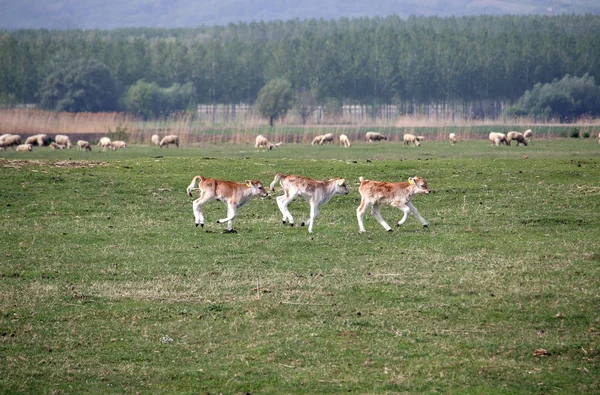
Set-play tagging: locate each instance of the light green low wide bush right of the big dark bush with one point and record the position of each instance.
(150, 100)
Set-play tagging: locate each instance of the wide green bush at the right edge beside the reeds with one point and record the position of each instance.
(566, 99)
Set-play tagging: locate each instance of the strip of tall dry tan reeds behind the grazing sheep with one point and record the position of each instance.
(195, 130)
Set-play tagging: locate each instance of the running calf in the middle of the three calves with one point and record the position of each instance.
(315, 192)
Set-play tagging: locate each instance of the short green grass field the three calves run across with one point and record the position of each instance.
(106, 286)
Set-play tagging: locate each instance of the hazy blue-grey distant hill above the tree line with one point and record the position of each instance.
(112, 14)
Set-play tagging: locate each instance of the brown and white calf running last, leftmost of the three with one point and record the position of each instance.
(233, 194)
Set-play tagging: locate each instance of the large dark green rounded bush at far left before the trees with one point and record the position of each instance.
(78, 85)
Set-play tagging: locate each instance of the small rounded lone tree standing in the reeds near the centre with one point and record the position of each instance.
(275, 99)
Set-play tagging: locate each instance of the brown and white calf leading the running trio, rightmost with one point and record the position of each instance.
(396, 194)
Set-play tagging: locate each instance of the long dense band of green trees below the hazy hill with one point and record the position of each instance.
(482, 63)
